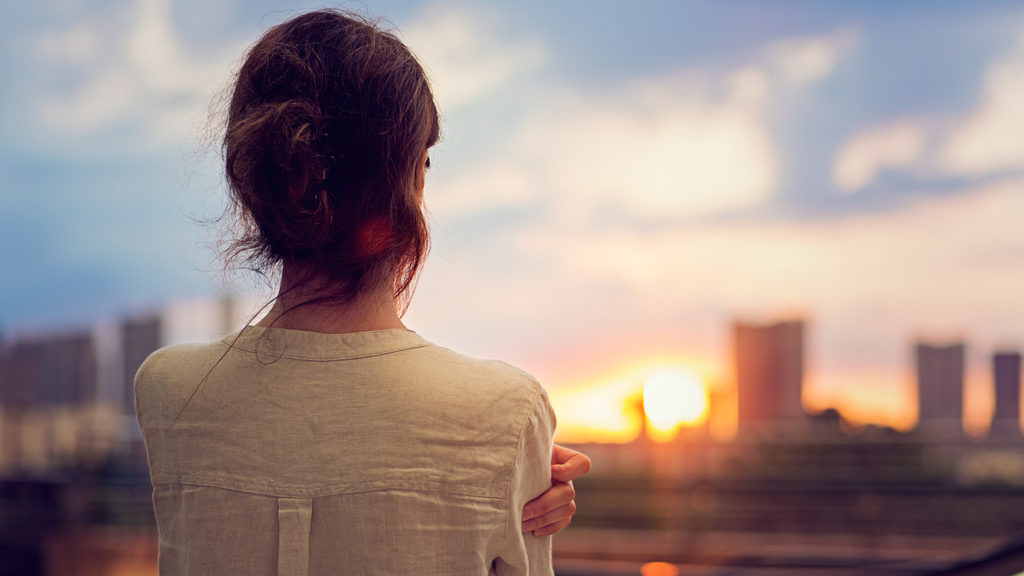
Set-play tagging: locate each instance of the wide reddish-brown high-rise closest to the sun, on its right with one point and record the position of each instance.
(770, 375)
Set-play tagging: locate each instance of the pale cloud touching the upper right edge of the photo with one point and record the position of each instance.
(989, 140)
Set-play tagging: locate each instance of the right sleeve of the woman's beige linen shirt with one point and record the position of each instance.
(526, 554)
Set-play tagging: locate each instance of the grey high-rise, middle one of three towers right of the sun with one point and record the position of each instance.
(941, 388)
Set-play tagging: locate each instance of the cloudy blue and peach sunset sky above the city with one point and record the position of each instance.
(617, 185)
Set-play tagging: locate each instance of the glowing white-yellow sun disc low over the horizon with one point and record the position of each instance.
(674, 399)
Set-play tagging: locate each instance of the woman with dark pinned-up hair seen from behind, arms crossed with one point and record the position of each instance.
(328, 439)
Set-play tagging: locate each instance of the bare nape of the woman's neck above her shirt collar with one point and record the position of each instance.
(372, 310)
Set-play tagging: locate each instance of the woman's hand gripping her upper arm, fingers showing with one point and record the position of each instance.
(553, 511)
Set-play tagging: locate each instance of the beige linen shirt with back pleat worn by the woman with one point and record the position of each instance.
(368, 454)
